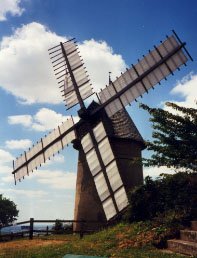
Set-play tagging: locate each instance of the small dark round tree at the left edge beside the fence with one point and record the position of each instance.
(8, 211)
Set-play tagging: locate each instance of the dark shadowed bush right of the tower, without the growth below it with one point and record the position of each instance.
(177, 193)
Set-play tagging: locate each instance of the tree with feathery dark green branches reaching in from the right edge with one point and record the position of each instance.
(175, 137)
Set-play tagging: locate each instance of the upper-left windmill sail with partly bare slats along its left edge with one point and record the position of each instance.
(70, 70)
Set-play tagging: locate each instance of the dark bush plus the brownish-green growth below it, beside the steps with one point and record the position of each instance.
(163, 206)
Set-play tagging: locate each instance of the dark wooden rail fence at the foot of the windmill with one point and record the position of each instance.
(30, 232)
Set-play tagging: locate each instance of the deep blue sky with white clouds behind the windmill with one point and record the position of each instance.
(111, 36)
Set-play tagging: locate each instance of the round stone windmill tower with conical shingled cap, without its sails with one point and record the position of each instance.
(126, 143)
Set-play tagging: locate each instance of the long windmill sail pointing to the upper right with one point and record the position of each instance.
(140, 78)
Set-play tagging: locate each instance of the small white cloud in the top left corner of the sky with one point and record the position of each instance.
(10, 6)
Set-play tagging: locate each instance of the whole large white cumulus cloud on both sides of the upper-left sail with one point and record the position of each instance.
(24, 56)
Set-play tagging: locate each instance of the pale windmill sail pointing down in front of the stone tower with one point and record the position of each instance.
(103, 167)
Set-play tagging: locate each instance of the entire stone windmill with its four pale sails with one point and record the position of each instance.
(103, 178)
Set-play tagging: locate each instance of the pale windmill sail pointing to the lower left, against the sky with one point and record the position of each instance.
(44, 149)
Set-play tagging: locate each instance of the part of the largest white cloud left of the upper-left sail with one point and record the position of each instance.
(24, 55)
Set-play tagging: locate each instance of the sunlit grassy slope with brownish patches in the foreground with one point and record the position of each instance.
(120, 241)
